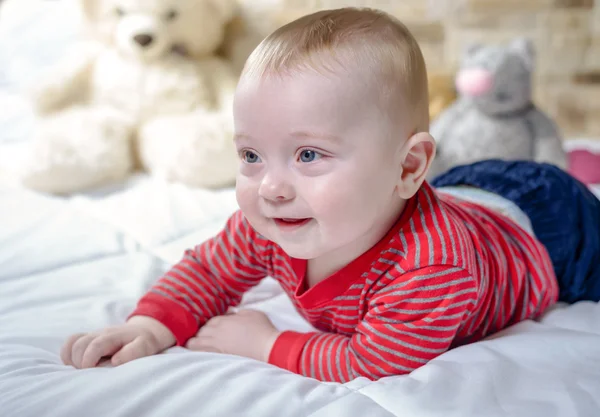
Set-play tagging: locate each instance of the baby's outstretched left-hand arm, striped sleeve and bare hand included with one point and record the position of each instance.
(205, 283)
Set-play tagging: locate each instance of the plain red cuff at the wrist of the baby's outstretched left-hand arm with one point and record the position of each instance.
(177, 319)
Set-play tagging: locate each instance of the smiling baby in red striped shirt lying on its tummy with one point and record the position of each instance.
(331, 121)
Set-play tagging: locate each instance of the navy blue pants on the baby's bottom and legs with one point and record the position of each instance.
(564, 213)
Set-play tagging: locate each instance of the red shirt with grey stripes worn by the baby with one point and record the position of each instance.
(448, 273)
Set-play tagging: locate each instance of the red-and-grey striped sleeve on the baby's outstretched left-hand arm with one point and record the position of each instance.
(208, 280)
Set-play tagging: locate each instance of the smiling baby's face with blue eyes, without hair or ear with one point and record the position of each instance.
(319, 162)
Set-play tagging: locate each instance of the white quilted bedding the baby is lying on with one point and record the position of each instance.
(80, 263)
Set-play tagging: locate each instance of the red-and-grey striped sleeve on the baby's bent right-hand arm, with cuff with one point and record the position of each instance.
(412, 320)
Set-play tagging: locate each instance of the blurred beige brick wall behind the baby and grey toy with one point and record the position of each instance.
(566, 34)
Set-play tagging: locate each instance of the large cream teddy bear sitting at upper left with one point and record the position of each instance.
(146, 90)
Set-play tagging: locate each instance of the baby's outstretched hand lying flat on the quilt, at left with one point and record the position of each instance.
(140, 336)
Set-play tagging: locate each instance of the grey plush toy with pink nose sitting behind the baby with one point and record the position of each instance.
(494, 116)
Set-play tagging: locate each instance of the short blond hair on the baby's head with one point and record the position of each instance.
(352, 38)
